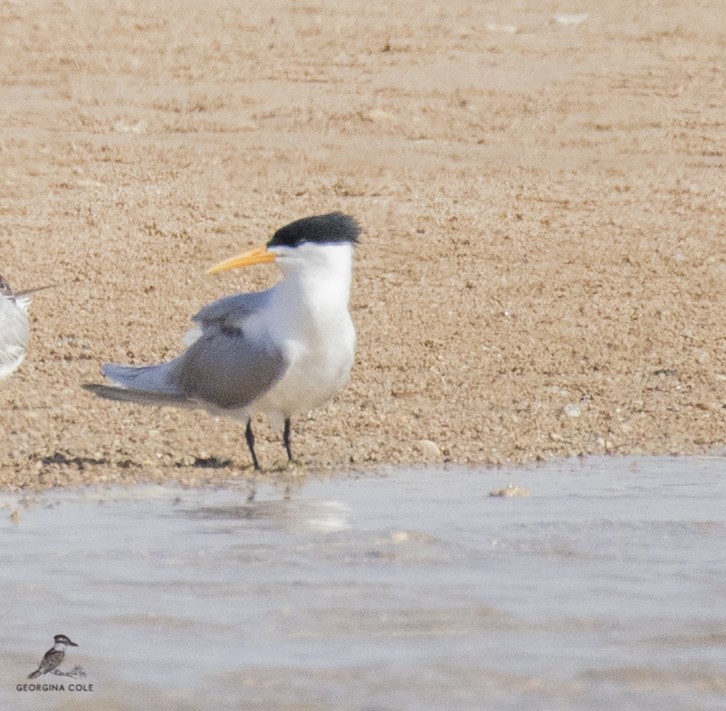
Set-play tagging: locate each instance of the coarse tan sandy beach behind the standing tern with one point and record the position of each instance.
(542, 271)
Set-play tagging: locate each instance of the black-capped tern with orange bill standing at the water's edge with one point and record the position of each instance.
(278, 352)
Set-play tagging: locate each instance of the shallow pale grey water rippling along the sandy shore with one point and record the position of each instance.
(606, 588)
